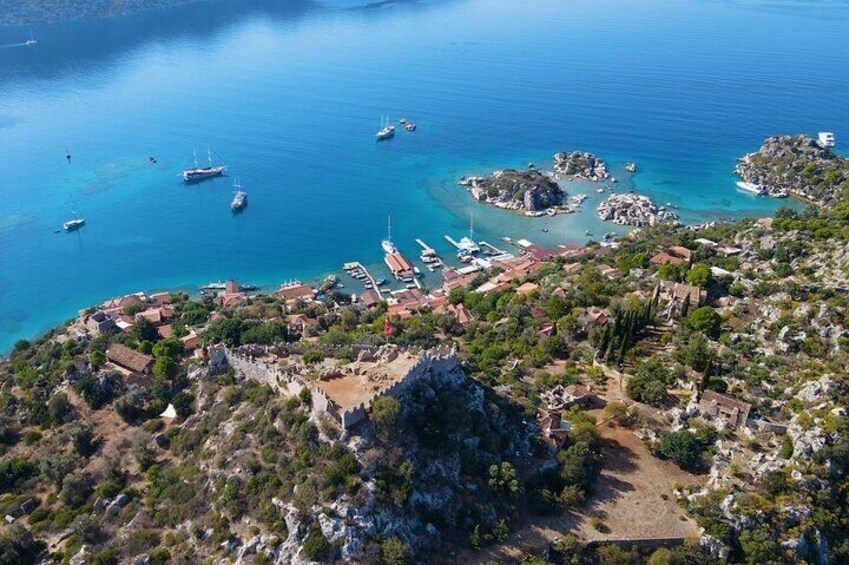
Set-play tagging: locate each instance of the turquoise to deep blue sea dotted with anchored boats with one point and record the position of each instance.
(290, 95)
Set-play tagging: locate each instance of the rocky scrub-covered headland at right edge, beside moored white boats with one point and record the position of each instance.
(796, 165)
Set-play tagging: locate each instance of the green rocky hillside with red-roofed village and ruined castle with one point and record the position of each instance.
(674, 396)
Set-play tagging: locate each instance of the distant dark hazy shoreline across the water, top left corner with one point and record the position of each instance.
(32, 12)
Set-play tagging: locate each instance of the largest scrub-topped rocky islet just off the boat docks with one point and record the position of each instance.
(513, 189)
